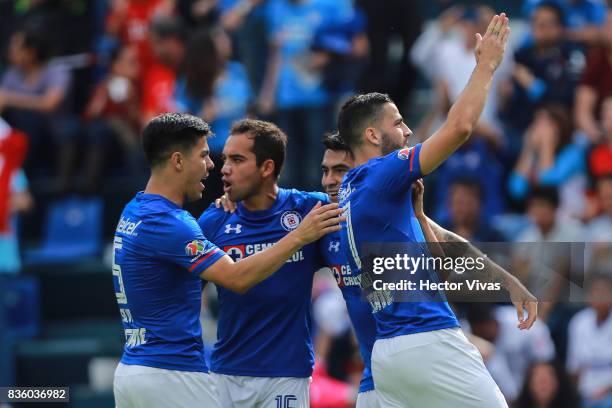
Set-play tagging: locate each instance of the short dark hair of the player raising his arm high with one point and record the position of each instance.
(359, 112)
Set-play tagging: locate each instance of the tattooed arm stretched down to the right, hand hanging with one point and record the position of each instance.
(492, 272)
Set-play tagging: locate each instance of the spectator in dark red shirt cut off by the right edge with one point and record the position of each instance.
(596, 85)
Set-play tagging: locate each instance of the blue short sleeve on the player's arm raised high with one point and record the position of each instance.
(398, 169)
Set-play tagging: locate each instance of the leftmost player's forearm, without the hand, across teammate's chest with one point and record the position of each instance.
(253, 269)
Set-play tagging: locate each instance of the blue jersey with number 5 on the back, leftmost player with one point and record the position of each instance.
(159, 253)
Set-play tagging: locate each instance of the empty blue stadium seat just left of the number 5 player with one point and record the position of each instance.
(72, 230)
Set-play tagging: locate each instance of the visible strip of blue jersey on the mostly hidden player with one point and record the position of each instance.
(359, 310)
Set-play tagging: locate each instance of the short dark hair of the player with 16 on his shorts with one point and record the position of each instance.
(269, 141)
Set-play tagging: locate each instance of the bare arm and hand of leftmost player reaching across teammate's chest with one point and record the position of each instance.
(242, 275)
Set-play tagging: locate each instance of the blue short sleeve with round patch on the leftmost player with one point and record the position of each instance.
(183, 244)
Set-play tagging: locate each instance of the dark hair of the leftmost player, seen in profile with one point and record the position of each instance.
(171, 132)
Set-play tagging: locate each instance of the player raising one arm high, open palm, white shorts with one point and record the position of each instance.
(420, 358)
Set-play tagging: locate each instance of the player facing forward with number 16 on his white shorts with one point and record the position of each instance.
(263, 356)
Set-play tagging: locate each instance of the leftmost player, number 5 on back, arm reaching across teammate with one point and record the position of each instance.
(161, 259)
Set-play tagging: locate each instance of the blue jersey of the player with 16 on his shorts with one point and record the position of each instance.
(266, 332)
